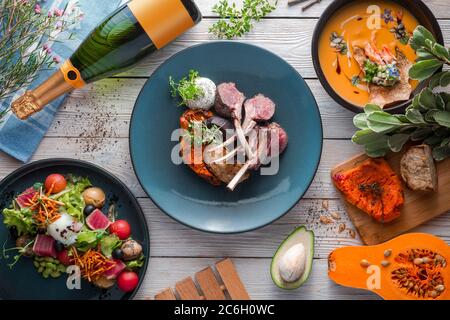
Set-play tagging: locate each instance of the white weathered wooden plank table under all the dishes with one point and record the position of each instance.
(177, 251)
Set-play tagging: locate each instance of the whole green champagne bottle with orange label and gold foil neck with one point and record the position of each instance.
(132, 32)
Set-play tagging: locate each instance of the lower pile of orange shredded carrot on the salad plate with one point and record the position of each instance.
(92, 264)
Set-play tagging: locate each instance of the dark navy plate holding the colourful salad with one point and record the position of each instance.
(23, 281)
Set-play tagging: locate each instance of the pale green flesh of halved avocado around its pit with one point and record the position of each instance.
(299, 235)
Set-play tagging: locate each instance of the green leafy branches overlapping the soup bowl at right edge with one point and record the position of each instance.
(426, 120)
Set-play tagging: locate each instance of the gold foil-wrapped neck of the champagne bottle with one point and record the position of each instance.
(61, 82)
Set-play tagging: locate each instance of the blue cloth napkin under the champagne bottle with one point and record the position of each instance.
(19, 138)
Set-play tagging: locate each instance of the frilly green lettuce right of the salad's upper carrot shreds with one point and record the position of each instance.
(73, 198)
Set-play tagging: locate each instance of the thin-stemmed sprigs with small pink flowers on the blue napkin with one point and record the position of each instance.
(25, 33)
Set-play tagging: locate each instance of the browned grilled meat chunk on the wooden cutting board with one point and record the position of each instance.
(418, 170)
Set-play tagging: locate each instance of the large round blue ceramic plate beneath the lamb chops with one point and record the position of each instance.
(261, 199)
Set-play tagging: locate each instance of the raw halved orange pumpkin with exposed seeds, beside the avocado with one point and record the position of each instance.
(410, 267)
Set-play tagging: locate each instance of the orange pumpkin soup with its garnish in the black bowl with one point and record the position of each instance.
(365, 55)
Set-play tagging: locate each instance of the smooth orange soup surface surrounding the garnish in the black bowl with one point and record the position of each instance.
(351, 23)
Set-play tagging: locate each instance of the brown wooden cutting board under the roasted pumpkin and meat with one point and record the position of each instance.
(419, 206)
